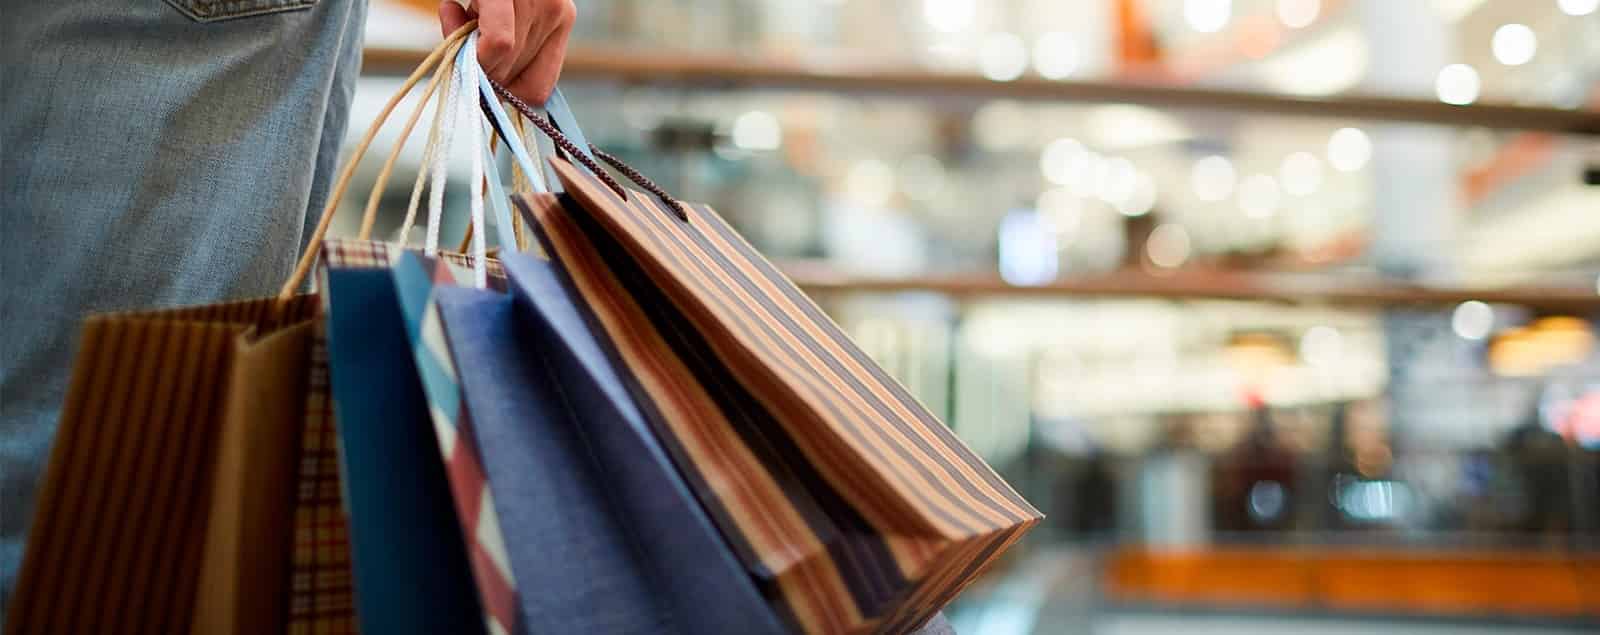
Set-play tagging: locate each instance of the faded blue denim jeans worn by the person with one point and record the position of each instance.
(154, 154)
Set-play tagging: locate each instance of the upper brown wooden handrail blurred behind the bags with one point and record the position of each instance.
(726, 73)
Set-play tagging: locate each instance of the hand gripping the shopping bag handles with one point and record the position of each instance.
(522, 44)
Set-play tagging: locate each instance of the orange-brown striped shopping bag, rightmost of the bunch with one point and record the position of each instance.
(854, 506)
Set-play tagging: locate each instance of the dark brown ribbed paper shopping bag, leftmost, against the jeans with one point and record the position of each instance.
(142, 527)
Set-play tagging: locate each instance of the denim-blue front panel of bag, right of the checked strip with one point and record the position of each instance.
(575, 567)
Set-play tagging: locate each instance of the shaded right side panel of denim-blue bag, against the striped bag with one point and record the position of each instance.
(674, 535)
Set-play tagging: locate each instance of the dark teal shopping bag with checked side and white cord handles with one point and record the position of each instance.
(426, 556)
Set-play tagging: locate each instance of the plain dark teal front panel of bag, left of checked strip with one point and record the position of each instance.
(410, 562)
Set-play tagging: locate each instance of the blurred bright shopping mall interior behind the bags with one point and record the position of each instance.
(1282, 311)
